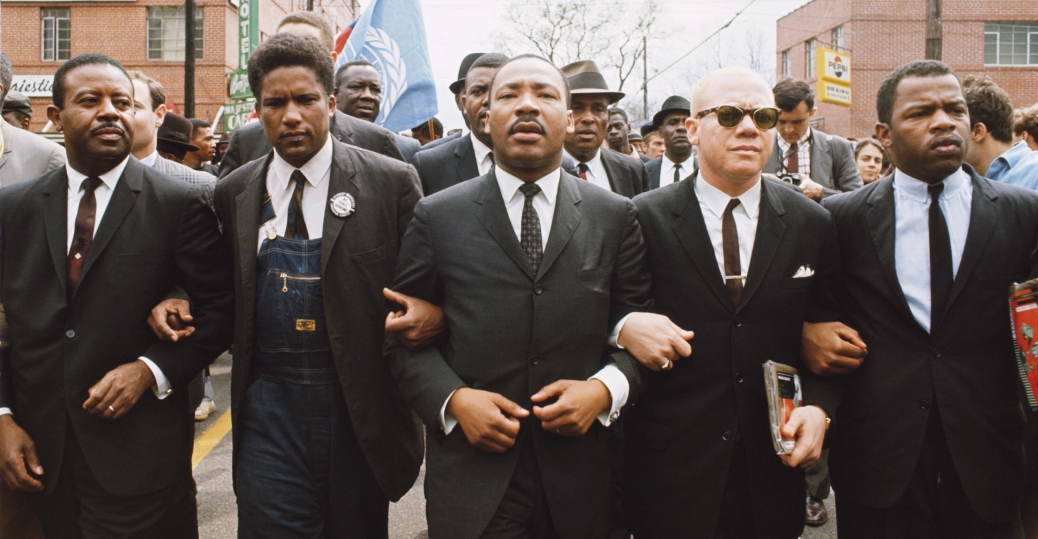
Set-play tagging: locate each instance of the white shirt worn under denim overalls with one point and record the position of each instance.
(318, 173)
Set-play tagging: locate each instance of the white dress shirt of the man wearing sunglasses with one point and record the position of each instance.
(714, 202)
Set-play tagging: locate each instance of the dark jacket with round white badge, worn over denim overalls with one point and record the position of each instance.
(359, 255)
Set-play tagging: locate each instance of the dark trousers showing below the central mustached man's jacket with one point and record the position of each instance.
(524, 513)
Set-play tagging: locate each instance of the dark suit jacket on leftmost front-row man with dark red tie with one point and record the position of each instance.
(157, 233)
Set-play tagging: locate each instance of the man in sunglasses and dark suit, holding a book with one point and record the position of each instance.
(742, 261)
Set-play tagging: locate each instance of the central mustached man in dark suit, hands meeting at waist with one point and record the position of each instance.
(532, 279)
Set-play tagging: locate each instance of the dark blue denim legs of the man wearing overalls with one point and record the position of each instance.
(301, 472)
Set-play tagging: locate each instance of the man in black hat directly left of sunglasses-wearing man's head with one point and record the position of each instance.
(677, 161)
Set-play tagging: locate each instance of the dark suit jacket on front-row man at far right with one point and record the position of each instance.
(968, 366)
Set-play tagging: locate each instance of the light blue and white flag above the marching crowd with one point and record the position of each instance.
(392, 36)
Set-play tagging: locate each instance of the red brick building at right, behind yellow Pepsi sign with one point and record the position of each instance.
(995, 38)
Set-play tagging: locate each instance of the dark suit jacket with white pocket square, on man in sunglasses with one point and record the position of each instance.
(680, 435)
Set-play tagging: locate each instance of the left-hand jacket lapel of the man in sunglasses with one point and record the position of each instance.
(692, 233)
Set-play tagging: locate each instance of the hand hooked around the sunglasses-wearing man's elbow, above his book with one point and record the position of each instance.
(832, 348)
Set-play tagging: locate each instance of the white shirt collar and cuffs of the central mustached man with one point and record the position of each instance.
(544, 205)
